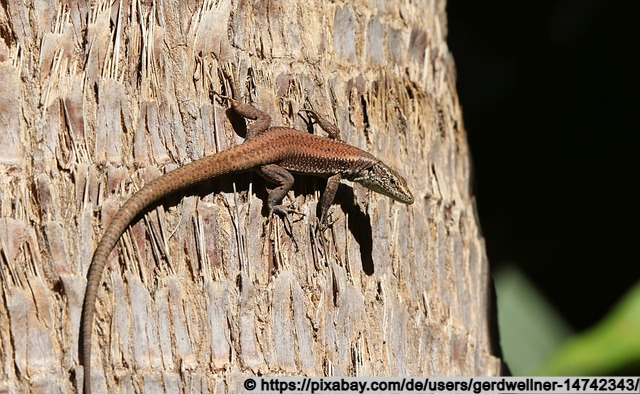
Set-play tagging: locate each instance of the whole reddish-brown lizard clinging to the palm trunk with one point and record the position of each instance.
(275, 153)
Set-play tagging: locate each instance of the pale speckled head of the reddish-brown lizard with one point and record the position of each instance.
(384, 180)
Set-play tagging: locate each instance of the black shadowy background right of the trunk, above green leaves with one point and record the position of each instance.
(551, 104)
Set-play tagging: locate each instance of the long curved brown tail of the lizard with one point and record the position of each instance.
(237, 159)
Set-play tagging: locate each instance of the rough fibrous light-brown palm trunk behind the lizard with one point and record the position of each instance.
(203, 291)
